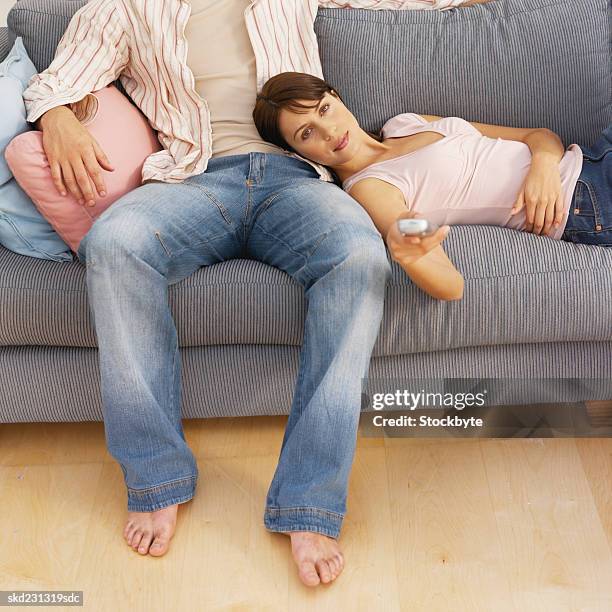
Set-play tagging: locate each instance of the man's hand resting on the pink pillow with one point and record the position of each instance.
(74, 156)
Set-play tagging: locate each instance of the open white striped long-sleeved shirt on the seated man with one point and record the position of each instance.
(142, 43)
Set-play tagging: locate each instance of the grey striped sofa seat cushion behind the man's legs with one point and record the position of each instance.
(529, 289)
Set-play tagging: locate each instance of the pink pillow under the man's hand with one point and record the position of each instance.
(126, 137)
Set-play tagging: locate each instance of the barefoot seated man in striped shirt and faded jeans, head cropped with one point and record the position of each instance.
(215, 192)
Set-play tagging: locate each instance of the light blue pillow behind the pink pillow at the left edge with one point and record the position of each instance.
(22, 228)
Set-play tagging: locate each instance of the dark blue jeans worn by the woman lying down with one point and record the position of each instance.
(590, 216)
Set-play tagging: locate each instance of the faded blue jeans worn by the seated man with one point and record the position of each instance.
(269, 207)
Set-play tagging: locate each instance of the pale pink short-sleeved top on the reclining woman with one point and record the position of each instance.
(464, 178)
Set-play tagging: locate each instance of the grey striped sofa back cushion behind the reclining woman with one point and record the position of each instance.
(523, 63)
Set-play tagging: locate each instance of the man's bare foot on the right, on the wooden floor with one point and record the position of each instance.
(318, 557)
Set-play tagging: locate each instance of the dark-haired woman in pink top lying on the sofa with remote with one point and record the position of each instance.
(445, 169)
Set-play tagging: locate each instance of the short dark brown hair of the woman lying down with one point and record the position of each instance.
(283, 91)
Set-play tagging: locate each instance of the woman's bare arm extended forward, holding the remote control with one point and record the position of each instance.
(423, 259)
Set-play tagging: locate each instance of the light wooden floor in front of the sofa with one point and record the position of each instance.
(457, 525)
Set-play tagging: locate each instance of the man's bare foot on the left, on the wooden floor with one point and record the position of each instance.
(150, 532)
